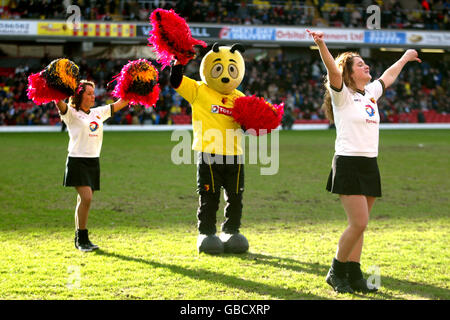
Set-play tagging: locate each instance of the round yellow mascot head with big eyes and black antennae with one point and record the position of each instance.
(223, 68)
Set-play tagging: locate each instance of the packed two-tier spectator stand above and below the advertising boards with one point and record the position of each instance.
(419, 95)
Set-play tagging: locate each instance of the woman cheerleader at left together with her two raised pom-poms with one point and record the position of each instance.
(137, 83)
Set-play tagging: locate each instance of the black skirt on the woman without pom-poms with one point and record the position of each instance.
(355, 176)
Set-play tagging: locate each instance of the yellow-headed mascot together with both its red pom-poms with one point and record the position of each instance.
(219, 113)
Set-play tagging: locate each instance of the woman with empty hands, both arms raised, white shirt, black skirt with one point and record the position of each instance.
(351, 102)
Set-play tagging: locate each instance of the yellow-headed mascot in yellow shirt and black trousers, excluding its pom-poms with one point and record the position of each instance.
(219, 160)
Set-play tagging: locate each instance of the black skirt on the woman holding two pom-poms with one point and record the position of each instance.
(82, 172)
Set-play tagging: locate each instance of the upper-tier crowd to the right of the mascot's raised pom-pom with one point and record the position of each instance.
(432, 15)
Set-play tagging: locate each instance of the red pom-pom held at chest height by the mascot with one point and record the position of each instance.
(257, 114)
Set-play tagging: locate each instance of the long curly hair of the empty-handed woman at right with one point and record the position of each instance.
(344, 62)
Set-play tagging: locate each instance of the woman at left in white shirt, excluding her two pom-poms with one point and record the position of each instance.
(85, 127)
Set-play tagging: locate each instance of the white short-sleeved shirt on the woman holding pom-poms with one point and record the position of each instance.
(86, 130)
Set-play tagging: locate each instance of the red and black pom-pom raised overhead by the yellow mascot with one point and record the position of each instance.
(171, 37)
